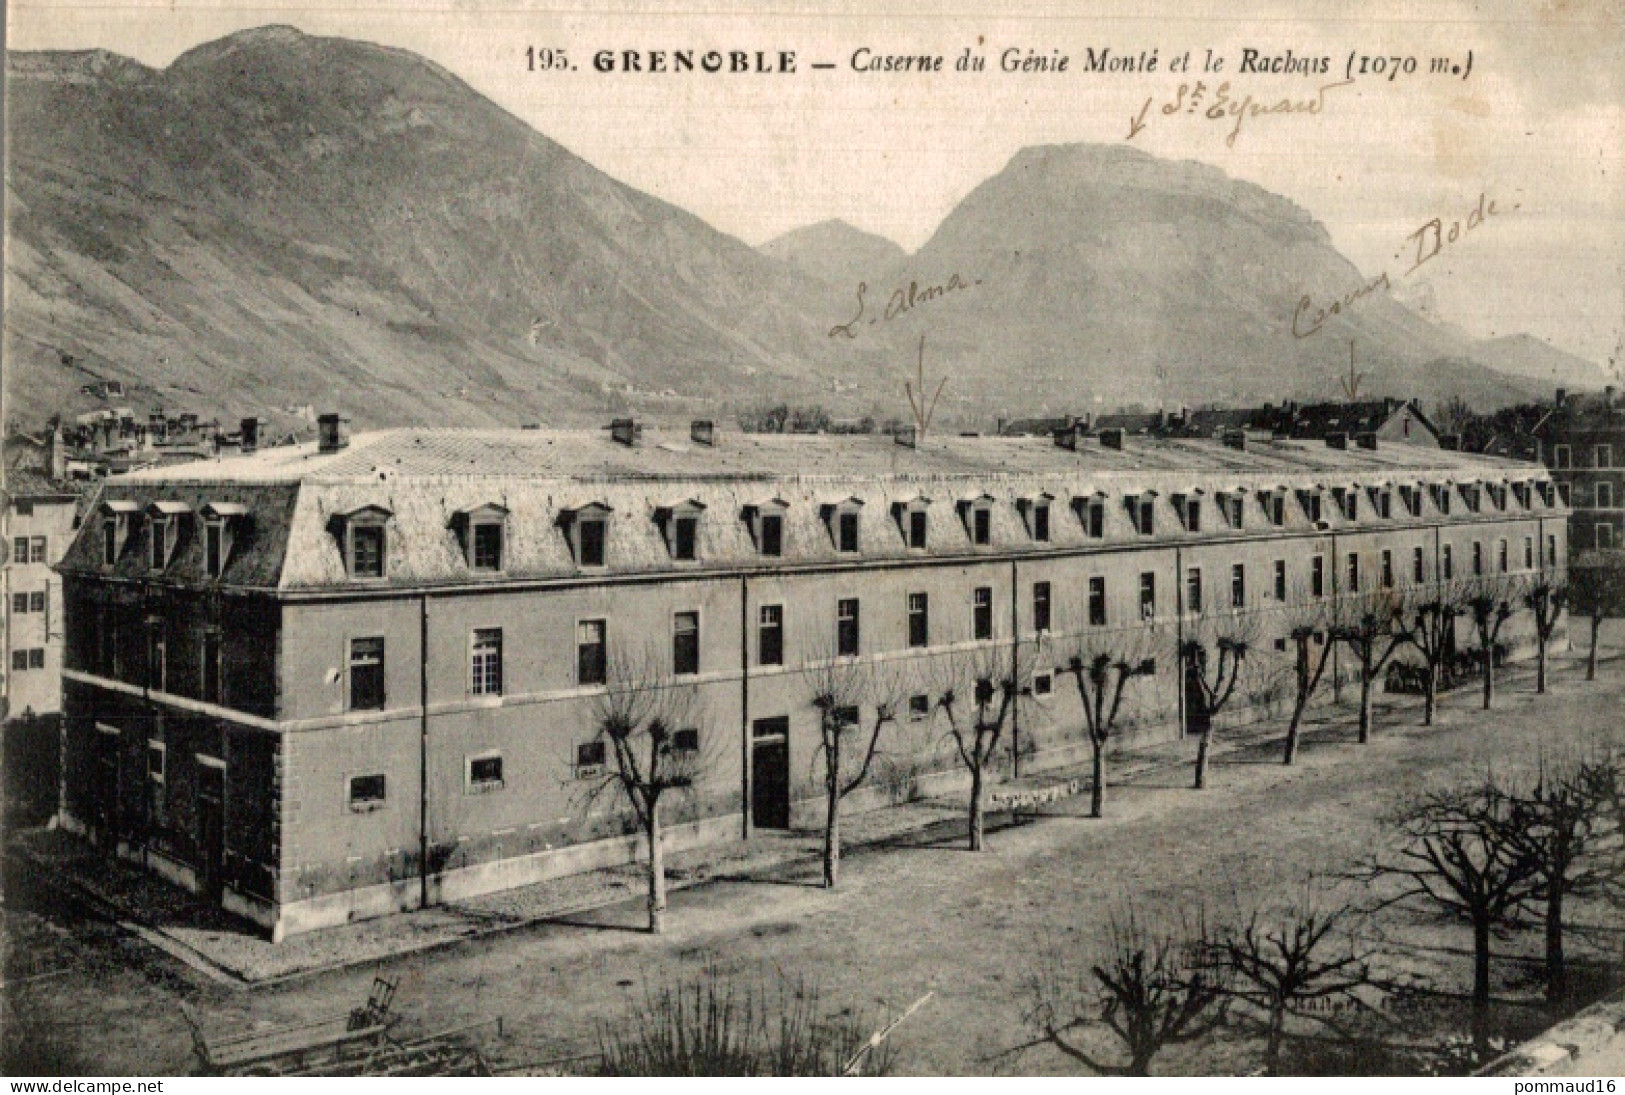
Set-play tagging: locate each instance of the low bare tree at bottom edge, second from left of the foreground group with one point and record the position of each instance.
(1298, 961)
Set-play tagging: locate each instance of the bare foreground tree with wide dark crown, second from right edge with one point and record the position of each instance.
(1460, 860)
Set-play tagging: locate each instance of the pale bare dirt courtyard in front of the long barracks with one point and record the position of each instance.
(919, 914)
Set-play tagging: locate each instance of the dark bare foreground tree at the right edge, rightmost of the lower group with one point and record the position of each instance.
(1561, 823)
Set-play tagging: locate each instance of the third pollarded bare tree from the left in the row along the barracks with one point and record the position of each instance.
(979, 695)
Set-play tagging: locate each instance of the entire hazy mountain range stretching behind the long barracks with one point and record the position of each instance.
(279, 220)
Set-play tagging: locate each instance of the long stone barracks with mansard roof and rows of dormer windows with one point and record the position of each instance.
(339, 680)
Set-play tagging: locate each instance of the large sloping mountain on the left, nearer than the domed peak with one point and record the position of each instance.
(282, 220)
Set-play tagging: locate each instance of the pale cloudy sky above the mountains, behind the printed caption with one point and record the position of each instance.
(1538, 126)
